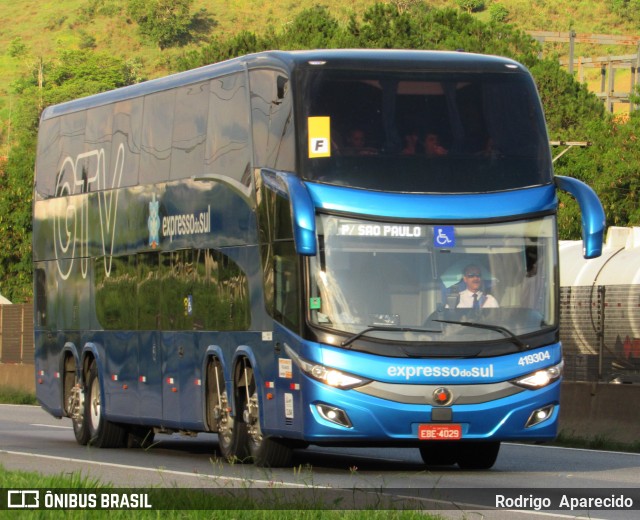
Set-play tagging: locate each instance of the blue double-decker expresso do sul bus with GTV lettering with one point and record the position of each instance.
(345, 247)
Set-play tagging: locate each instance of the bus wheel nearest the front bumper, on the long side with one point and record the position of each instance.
(265, 451)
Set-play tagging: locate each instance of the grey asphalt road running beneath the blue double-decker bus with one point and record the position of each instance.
(32, 440)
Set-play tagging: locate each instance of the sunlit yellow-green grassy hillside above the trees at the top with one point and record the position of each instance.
(40, 29)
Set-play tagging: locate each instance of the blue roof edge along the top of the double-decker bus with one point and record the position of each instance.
(390, 59)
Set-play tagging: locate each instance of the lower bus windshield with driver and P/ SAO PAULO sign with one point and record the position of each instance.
(390, 277)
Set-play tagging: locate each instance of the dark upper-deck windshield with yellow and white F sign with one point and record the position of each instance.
(424, 131)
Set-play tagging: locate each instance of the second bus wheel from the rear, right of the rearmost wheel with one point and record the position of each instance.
(102, 433)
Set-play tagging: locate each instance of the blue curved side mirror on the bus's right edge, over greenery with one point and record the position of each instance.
(593, 218)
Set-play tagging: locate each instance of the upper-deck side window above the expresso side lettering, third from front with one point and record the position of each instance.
(189, 131)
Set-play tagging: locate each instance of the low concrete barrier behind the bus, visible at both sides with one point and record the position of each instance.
(586, 409)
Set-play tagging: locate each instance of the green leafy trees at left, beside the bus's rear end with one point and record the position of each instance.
(73, 74)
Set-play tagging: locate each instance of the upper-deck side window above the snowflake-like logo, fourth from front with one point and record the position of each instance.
(155, 159)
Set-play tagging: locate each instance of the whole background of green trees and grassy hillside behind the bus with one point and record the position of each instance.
(60, 51)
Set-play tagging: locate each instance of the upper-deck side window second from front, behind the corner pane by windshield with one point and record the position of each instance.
(228, 144)
